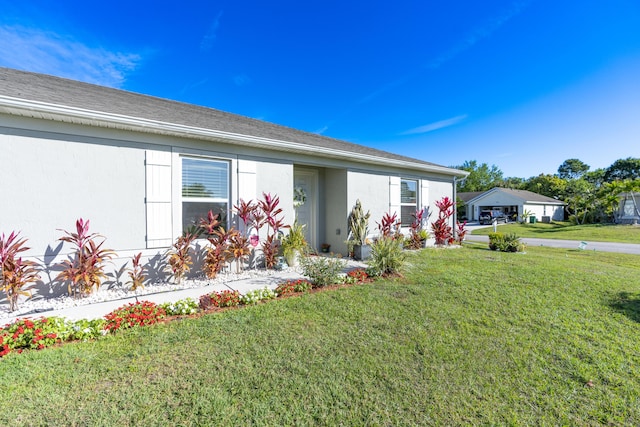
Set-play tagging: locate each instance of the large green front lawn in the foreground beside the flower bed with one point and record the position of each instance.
(467, 337)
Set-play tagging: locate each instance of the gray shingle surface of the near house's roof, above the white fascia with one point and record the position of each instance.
(69, 93)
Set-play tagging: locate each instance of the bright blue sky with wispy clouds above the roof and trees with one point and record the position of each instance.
(523, 85)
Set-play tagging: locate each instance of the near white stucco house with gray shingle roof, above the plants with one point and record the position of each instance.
(122, 160)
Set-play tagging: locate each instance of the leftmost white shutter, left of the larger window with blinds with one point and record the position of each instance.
(158, 198)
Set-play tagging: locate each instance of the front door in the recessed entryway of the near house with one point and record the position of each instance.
(305, 182)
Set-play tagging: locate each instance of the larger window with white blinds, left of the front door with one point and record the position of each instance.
(205, 187)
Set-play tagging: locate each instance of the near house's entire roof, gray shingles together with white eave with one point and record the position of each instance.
(48, 97)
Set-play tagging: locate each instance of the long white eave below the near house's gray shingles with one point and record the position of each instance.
(36, 109)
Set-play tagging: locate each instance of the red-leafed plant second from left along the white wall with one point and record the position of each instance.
(86, 268)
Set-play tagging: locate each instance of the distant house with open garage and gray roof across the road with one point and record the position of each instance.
(512, 203)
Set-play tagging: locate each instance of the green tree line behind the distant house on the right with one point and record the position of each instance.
(591, 196)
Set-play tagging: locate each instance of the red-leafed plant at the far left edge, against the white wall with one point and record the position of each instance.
(15, 273)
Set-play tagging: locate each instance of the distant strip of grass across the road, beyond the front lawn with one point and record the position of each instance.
(567, 231)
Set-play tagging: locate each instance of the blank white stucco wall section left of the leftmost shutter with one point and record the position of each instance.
(51, 183)
